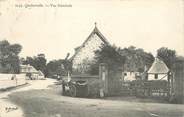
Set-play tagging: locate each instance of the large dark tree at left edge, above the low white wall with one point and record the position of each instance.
(9, 59)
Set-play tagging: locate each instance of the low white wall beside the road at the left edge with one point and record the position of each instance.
(11, 80)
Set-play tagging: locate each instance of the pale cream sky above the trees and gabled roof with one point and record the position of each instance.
(55, 31)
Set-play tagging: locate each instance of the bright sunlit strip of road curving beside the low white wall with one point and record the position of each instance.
(5, 103)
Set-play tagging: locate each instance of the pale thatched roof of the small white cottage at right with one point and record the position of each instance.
(158, 67)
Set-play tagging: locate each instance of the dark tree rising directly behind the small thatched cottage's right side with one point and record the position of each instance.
(167, 55)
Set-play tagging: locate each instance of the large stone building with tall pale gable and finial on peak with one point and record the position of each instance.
(84, 55)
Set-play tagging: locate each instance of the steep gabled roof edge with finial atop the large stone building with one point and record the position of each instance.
(95, 31)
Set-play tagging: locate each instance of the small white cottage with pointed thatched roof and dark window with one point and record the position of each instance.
(158, 70)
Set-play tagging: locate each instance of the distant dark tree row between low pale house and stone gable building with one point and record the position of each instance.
(54, 67)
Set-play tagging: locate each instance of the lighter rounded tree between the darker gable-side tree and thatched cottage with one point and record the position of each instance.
(136, 59)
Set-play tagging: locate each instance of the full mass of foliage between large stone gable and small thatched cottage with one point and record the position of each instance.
(132, 58)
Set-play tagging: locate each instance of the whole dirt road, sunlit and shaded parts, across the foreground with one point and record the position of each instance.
(47, 103)
